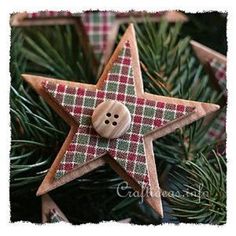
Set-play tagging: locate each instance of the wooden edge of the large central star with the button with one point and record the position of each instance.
(201, 110)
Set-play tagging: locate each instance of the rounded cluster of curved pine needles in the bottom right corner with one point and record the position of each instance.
(202, 197)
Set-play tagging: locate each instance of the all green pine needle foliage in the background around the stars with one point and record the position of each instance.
(169, 68)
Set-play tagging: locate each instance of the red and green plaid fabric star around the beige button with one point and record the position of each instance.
(128, 150)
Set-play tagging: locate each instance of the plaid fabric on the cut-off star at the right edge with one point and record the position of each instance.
(219, 71)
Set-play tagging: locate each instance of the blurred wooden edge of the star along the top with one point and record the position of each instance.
(20, 20)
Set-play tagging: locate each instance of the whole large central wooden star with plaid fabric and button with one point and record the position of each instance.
(114, 122)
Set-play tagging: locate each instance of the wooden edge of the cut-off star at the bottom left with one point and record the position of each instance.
(47, 205)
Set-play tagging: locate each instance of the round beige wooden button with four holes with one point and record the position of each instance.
(111, 119)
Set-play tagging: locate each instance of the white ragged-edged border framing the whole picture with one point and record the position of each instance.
(123, 229)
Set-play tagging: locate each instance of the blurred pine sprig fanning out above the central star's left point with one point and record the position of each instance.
(58, 54)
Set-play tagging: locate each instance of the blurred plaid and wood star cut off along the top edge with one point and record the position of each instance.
(100, 28)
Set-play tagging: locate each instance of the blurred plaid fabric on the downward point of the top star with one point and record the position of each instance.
(98, 26)
